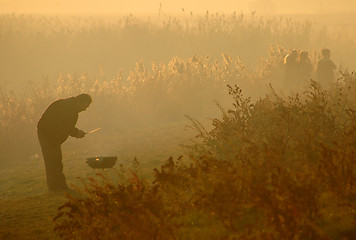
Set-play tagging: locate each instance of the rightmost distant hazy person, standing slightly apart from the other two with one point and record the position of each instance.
(326, 67)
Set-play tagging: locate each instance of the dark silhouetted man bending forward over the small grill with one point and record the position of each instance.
(55, 126)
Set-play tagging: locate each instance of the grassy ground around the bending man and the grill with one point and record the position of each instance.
(27, 209)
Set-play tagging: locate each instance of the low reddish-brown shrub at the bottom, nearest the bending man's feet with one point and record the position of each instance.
(128, 209)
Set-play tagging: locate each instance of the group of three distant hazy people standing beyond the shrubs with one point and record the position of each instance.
(298, 69)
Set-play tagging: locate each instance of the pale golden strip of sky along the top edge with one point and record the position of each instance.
(175, 6)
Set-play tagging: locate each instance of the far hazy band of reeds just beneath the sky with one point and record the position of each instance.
(50, 45)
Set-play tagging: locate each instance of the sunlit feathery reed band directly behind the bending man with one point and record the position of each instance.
(162, 94)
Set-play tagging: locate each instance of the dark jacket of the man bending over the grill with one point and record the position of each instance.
(58, 121)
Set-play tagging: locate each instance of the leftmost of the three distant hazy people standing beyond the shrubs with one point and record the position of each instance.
(291, 71)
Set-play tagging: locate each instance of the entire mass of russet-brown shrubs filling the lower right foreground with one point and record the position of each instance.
(272, 169)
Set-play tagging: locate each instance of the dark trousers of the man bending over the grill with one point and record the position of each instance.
(52, 155)
